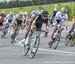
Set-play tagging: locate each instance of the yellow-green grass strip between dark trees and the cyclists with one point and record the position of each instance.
(70, 6)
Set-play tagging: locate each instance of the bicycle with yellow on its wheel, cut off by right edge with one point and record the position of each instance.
(70, 39)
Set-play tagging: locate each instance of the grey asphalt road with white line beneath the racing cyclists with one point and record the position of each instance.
(13, 54)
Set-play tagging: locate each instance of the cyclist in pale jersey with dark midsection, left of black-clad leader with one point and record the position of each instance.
(17, 23)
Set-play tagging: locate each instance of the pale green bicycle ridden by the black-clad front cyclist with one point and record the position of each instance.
(33, 48)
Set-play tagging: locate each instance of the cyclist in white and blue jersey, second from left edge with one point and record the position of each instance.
(7, 25)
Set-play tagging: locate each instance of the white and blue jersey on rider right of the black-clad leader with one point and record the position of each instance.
(60, 19)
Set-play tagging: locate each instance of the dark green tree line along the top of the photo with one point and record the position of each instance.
(18, 3)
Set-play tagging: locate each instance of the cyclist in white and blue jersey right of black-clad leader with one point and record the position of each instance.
(61, 19)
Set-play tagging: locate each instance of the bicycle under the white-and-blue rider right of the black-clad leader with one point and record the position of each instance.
(56, 38)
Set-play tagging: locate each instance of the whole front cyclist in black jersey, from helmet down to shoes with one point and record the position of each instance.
(35, 26)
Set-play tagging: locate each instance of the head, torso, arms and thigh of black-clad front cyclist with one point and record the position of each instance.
(39, 21)
